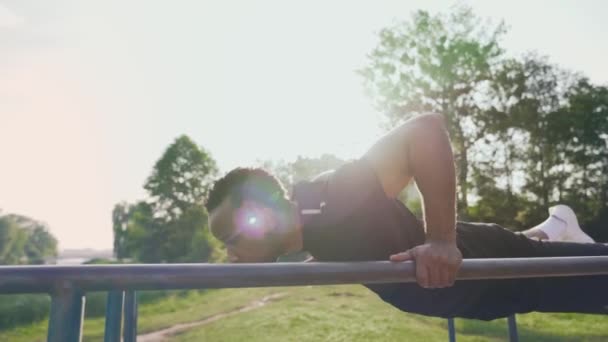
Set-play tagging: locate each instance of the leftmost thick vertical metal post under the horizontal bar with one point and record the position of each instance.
(67, 311)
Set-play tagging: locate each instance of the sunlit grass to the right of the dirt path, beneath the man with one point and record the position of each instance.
(351, 313)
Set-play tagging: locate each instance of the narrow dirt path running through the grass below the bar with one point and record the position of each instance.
(164, 334)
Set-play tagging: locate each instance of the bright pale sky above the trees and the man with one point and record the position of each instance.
(92, 92)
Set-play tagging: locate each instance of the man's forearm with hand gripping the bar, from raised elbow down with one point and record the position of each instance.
(431, 163)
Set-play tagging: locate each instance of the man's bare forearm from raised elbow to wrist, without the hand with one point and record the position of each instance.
(432, 164)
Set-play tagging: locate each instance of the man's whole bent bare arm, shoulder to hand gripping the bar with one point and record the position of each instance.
(420, 150)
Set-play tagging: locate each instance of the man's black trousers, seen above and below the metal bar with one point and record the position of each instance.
(490, 299)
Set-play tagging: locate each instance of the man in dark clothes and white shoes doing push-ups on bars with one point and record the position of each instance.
(352, 214)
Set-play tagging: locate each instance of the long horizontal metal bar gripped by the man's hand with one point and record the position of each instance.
(24, 279)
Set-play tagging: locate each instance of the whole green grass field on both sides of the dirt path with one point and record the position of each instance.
(323, 313)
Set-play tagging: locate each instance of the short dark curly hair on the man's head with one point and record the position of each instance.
(243, 183)
